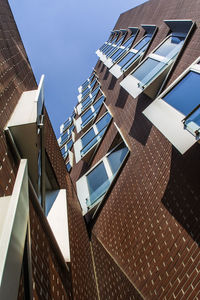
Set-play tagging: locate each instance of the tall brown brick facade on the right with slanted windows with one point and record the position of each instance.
(131, 147)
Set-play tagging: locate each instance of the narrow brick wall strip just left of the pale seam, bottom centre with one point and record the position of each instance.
(84, 286)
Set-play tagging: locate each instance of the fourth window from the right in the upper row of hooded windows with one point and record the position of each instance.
(123, 49)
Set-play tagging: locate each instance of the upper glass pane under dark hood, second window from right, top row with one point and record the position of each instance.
(171, 46)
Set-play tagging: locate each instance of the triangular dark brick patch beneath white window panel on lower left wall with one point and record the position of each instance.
(49, 279)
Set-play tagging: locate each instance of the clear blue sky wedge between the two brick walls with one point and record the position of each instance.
(61, 38)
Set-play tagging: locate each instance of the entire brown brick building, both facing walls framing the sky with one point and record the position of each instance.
(123, 222)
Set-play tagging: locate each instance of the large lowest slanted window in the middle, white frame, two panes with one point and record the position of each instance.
(93, 186)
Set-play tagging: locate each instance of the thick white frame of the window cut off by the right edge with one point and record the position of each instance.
(160, 113)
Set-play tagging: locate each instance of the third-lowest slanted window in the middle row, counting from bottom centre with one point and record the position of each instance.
(86, 118)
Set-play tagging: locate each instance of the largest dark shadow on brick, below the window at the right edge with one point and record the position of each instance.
(182, 195)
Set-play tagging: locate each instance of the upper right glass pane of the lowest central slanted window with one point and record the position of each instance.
(116, 158)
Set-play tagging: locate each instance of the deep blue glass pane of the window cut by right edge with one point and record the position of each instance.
(185, 95)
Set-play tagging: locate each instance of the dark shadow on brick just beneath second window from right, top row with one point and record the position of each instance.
(141, 126)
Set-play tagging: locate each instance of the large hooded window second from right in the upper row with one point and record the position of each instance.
(154, 69)
